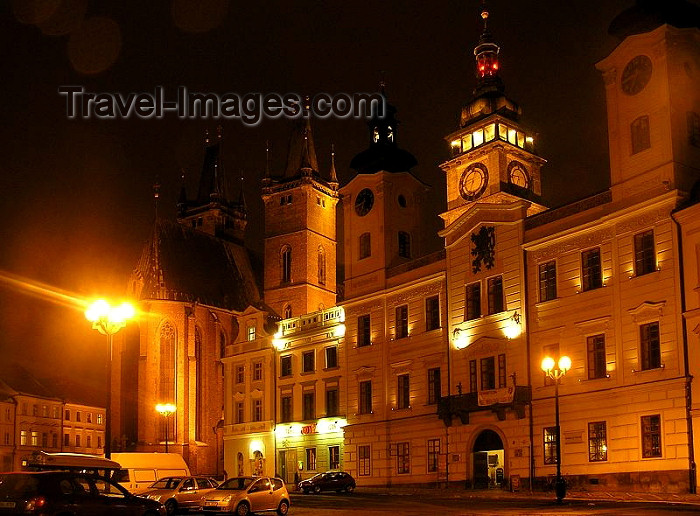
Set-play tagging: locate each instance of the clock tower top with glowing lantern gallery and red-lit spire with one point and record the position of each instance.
(493, 156)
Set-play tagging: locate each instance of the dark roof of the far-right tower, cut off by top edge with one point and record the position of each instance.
(647, 15)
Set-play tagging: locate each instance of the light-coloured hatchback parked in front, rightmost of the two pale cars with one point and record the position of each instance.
(243, 495)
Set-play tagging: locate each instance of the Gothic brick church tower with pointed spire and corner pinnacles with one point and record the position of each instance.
(300, 230)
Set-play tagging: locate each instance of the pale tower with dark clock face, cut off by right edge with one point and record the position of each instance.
(652, 80)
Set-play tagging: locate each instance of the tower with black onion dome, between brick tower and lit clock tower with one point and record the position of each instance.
(382, 208)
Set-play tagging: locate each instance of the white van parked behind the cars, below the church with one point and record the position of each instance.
(140, 470)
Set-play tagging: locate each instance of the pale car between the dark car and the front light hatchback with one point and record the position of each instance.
(179, 492)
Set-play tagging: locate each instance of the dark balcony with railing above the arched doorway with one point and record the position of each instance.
(498, 401)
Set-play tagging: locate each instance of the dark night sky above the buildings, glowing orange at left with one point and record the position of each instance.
(76, 196)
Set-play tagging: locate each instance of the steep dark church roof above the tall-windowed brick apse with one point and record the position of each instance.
(182, 264)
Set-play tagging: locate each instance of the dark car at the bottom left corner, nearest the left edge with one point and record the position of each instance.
(51, 493)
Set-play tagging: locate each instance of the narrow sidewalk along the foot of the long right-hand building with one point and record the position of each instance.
(452, 492)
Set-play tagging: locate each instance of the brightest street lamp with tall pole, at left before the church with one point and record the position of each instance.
(108, 320)
